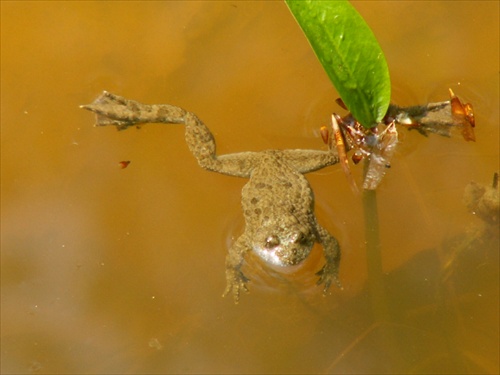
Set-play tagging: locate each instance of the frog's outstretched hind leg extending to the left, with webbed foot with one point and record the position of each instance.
(118, 111)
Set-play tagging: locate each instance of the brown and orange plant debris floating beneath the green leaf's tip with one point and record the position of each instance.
(378, 144)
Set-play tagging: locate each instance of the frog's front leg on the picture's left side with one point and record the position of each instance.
(235, 279)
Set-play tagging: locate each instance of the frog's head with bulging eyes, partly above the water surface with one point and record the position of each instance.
(287, 246)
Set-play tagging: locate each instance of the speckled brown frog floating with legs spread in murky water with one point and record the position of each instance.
(277, 201)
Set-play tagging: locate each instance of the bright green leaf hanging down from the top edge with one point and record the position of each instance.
(349, 53)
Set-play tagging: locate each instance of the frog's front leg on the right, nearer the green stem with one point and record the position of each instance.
(331, 248)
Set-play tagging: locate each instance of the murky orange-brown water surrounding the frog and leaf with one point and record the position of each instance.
(109, 270)
